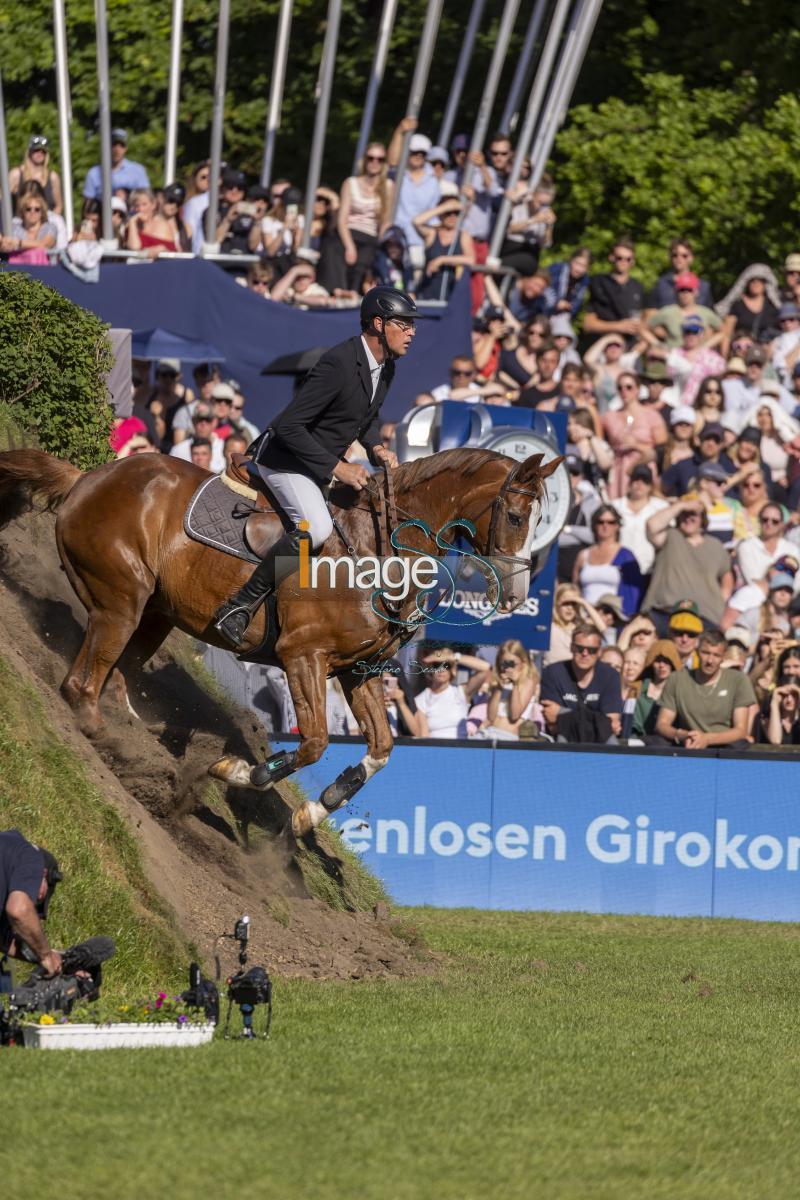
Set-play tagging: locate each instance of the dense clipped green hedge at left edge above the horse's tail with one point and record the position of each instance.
(53, 361)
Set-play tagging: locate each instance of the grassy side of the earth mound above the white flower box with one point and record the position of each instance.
(47, 795)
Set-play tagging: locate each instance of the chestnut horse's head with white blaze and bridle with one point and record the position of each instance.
(506, 531)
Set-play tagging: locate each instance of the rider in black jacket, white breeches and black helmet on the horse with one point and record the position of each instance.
(303, 451)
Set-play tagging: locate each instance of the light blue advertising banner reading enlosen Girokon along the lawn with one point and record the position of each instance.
(569, 831)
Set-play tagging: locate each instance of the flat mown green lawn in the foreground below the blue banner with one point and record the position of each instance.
(552, 1057)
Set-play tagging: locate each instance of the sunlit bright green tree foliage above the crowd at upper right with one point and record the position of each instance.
(689, 163)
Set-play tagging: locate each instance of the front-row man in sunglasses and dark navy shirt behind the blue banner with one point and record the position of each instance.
(582, 695)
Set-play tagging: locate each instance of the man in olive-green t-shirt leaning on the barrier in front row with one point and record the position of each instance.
(707, 706)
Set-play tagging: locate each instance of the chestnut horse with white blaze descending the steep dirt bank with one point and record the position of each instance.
(121, 538)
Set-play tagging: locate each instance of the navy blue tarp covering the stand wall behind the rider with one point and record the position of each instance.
(199, 301)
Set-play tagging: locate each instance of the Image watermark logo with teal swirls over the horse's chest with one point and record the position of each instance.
(396, 578)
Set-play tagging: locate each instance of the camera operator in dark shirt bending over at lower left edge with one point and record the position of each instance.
(28, 879)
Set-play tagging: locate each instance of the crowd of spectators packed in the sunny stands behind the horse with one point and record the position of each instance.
(679, 584)
